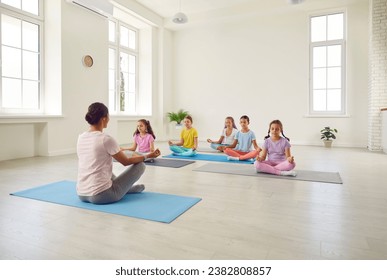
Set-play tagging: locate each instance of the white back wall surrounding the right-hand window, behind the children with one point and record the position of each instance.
(259, 66)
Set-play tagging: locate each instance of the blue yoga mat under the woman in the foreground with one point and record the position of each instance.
(146, 205)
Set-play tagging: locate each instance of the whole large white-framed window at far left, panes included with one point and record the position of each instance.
(21, 71)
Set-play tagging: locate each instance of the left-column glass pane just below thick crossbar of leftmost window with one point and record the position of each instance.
(10, 31)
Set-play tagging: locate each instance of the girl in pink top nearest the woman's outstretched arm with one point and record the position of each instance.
(143, 138)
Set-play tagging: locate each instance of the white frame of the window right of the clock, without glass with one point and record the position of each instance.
(118, 48)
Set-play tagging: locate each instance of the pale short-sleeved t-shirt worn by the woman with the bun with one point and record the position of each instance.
(95, 164)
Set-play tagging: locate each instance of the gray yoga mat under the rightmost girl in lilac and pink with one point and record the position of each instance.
(245, 170)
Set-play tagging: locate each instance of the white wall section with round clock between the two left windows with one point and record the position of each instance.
(80, 85)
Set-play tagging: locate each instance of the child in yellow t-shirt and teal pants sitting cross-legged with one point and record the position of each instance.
(188, 140)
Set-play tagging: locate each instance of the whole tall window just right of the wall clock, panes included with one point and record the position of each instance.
(123, 68)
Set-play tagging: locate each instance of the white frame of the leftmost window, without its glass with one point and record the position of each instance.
(34, 19)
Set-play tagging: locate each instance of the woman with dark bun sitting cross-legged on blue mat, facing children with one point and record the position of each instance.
(96, 181)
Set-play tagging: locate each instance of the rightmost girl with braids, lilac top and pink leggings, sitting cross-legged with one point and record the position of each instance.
(277, 149)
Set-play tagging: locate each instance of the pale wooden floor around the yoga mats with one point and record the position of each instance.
(240, 217)
